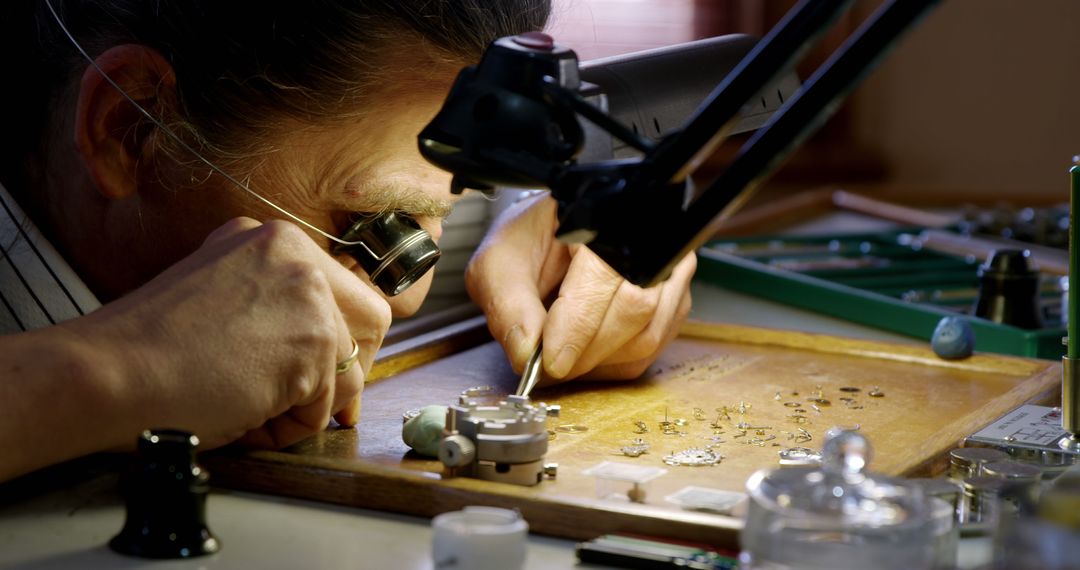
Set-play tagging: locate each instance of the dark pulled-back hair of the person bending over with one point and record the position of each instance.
(244, 64)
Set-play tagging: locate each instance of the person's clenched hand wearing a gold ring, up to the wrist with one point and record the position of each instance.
(240, 341)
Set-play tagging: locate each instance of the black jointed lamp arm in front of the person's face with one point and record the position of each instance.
(512, 121)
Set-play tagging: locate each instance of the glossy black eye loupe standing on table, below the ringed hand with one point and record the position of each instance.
(166, 493)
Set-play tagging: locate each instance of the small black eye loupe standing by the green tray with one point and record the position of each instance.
(1009, 290)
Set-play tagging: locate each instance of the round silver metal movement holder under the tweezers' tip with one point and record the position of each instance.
(506, 442)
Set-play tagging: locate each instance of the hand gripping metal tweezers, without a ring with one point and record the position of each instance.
(600, 325)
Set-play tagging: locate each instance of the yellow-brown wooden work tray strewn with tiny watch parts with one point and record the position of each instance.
(928, 406)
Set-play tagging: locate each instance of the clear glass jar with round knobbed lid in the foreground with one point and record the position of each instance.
(838, 517)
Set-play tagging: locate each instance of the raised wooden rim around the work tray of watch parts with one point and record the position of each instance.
(423, 494)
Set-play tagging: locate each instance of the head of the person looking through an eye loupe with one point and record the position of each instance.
(315, 105)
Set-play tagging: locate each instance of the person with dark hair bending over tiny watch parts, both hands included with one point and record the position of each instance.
(177, 267)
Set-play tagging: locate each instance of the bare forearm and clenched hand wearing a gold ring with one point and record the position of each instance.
(238, 342)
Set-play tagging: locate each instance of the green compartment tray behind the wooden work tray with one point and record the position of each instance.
(883, 280)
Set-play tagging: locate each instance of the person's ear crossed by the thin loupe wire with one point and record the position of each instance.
(111, 133)
